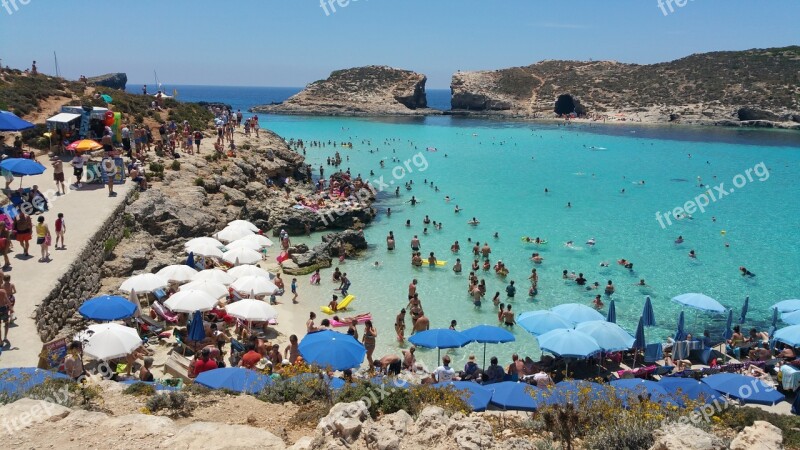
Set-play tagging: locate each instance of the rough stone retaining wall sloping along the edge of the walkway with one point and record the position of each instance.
(82, 279)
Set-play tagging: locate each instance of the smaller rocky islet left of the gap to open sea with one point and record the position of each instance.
(361, 91)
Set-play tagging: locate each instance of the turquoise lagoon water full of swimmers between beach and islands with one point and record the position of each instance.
(499, 176)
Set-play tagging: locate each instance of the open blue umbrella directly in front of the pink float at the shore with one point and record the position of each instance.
(332, 349)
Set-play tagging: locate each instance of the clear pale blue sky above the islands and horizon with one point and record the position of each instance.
(294, 42)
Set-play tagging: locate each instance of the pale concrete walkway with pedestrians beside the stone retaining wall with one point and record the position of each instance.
(85, 210)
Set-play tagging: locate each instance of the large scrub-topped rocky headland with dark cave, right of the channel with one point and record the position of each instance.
(698, 88)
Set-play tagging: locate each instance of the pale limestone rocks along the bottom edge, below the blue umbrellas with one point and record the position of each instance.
(31, 423)
